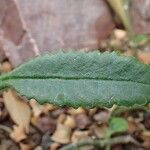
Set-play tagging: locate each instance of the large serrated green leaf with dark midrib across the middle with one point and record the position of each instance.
(80, 79)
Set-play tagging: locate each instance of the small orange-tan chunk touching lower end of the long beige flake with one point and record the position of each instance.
(18, 133)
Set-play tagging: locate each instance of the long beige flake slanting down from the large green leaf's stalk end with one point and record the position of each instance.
(18, 109)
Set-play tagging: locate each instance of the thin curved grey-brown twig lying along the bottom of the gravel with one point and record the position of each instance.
(101, 143)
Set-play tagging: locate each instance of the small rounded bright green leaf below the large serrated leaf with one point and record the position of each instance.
(117, 125)
